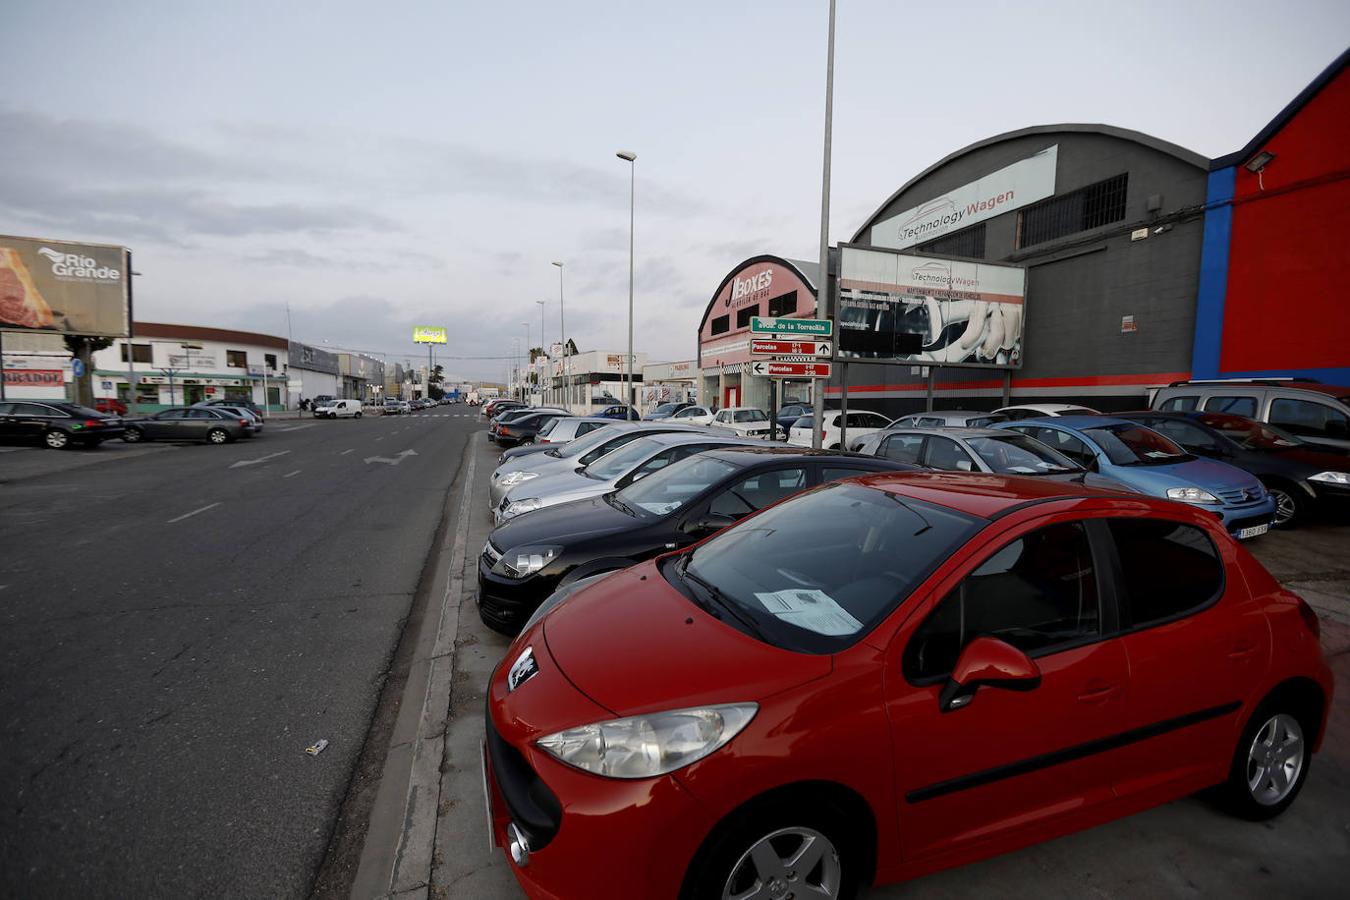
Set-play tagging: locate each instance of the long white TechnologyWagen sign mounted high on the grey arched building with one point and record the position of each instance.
(1024, 183)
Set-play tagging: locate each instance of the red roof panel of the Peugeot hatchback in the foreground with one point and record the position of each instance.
(981, 495)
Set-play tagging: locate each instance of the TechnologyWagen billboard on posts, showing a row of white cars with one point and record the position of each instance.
(907, 310)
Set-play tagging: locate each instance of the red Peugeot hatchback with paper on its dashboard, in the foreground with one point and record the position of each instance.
(894, 675)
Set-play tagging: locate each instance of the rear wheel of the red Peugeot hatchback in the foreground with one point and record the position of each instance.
(1270, 764)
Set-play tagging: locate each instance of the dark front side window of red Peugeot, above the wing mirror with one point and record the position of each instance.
(1039, 593)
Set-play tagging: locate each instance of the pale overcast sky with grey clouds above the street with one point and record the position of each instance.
(396, 164)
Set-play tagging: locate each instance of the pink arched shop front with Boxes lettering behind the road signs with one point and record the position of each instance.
(761, 287)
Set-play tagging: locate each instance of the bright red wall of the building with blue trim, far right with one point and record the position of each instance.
(1289, 299)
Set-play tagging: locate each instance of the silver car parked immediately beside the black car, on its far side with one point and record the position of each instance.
(612, 472)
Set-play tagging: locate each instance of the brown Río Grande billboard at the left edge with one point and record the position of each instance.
(59, 287)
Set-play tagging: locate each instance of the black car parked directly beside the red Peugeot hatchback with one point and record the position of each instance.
(527, 558)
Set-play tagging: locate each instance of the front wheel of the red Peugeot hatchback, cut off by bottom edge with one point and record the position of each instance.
(777, 851)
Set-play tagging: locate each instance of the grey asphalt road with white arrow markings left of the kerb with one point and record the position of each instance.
(179, 624)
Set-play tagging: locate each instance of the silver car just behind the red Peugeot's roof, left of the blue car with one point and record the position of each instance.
(982, 450)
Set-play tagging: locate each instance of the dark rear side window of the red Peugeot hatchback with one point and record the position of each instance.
(1167, 569)
